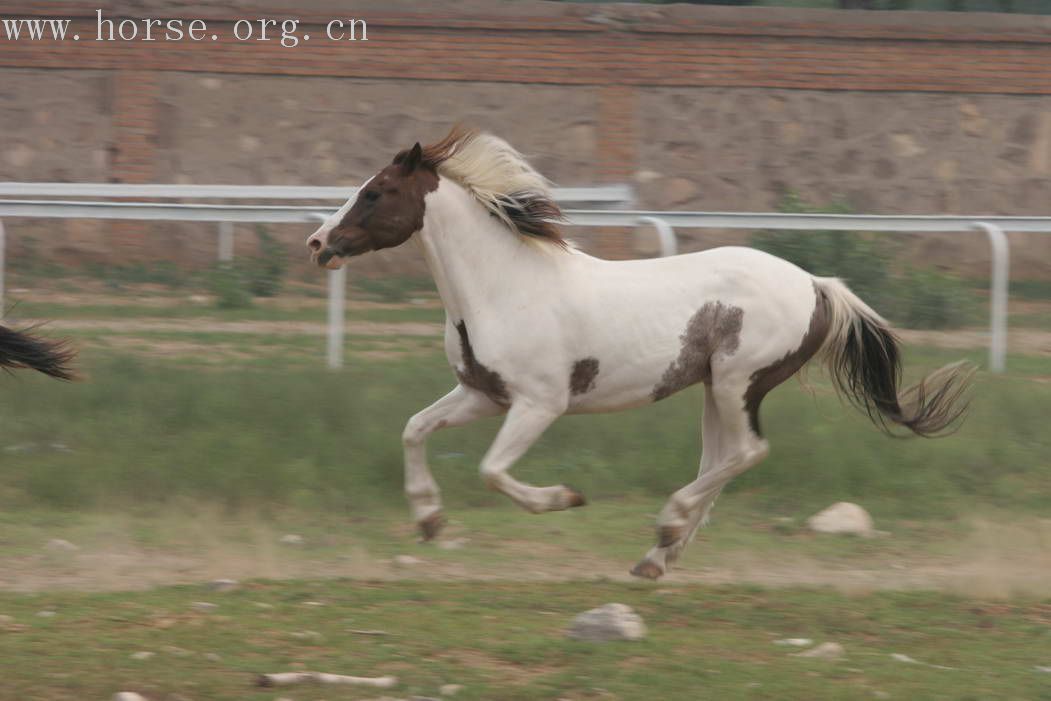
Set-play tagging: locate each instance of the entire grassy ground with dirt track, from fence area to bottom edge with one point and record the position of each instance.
(201, 437)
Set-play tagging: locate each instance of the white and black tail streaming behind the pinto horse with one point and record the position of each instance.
(864, 359)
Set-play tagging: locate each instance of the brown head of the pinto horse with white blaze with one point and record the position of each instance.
(385, 213)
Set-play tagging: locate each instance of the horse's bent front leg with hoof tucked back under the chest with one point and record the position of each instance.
(525, 424)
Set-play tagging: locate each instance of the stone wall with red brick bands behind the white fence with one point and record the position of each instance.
(700, 107)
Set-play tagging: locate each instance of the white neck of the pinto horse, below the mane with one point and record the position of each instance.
(477, 263)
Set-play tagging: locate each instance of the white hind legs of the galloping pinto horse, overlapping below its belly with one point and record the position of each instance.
(738, 448)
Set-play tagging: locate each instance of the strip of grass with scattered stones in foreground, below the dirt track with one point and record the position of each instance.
(505, 641)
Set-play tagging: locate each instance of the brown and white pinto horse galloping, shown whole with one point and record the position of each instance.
(537, 328)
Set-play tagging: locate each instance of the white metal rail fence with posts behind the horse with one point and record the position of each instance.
(615, 198)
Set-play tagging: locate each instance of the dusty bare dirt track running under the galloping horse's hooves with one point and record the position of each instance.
(995, 560)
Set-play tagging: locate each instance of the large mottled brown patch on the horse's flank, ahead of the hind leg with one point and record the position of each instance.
(716, 328)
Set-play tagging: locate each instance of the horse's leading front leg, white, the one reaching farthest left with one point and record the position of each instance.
(460, 407)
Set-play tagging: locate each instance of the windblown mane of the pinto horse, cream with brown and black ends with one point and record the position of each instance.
(501, 179)
